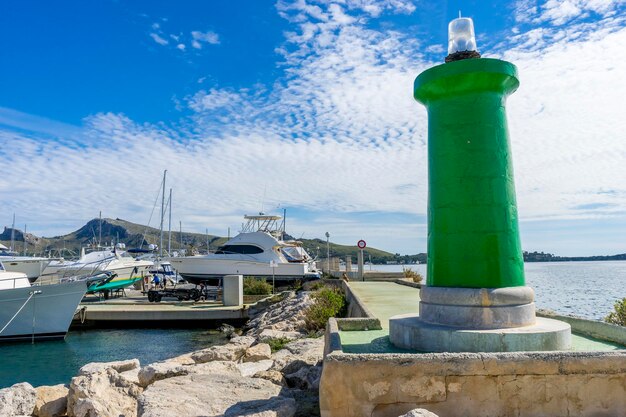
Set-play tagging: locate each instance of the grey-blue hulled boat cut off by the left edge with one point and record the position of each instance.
(36, 312)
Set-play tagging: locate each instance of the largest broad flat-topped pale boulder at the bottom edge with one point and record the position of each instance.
(214, 395)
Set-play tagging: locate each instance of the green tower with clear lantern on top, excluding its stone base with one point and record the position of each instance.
(473, 238)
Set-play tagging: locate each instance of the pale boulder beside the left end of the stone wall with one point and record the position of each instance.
(299, 353)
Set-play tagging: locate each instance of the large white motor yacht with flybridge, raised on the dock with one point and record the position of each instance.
(257, 251)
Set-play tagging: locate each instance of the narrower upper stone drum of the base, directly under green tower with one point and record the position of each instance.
(478, 308)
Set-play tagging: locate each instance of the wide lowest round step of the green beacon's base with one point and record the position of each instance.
(409, 332)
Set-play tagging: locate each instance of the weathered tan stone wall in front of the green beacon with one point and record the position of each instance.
(524, 384)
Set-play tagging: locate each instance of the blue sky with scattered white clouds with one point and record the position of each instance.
(304, 105)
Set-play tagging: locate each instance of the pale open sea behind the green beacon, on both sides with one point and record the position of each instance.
(583, 289)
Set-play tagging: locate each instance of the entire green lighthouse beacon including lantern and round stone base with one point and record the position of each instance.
(475, 298)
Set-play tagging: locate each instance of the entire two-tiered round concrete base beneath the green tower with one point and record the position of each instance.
(478, 320)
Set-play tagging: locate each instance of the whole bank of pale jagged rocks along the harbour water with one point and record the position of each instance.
(242, 377)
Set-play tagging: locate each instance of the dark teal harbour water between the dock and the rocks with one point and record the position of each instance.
(56, 362)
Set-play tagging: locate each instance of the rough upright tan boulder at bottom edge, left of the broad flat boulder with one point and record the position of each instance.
(103, 393)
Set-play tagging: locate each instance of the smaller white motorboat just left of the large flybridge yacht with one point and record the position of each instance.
(114, 259)
